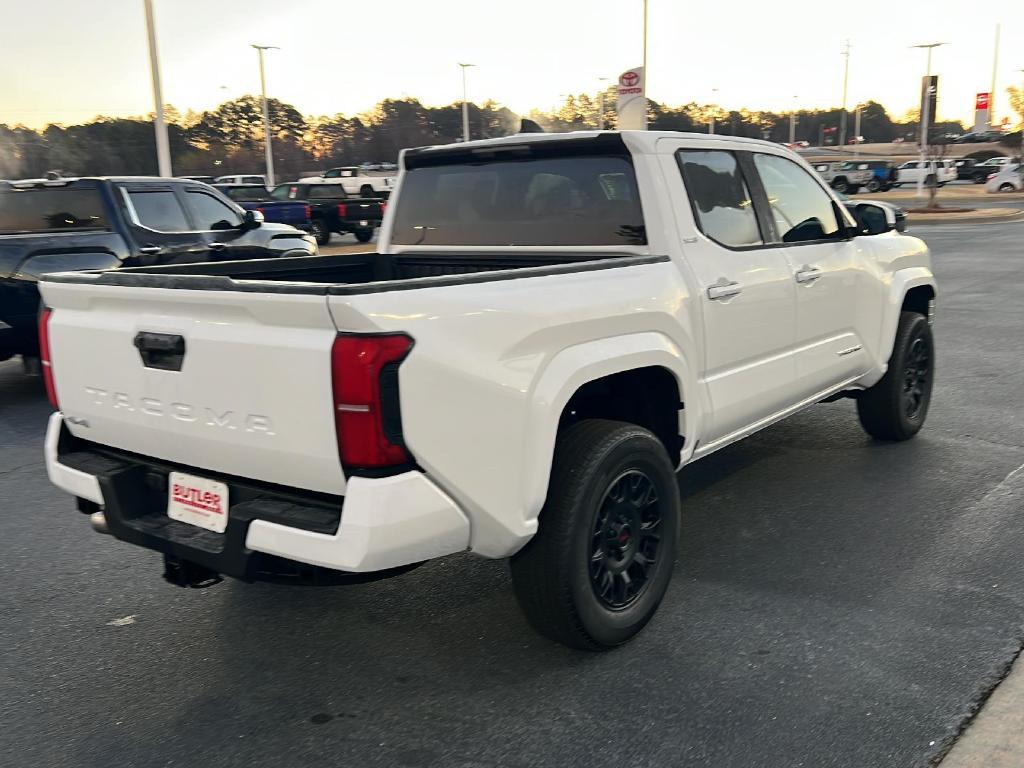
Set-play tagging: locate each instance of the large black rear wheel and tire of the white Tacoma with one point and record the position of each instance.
(601, 564)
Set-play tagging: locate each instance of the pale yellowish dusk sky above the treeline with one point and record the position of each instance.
(68, 61)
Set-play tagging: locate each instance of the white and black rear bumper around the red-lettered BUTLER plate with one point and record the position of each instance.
(381, 524)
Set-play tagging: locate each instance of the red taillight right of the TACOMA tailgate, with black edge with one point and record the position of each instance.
(364, 373)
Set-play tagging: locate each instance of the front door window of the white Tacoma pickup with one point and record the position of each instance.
(803, 211)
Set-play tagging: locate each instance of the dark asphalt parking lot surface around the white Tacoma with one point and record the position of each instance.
(837, 603)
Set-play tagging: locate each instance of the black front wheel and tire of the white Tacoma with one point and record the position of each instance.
(897, 407)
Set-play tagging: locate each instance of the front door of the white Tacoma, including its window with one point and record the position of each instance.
(838, 291)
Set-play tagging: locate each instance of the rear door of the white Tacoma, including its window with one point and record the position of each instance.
(747, 293)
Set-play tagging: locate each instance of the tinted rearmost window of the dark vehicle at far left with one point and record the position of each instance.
(40, 210)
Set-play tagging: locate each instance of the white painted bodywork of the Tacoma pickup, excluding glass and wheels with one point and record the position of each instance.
(495, 362)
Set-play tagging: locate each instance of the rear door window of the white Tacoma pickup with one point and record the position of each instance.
(720, 198)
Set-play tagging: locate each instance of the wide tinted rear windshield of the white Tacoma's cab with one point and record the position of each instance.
(585, 200)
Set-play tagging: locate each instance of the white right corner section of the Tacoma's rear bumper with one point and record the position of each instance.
(386, 524)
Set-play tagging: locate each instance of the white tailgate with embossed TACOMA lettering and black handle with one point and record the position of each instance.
(253, 396)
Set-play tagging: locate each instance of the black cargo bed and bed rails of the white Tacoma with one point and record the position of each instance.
(356, 274)
